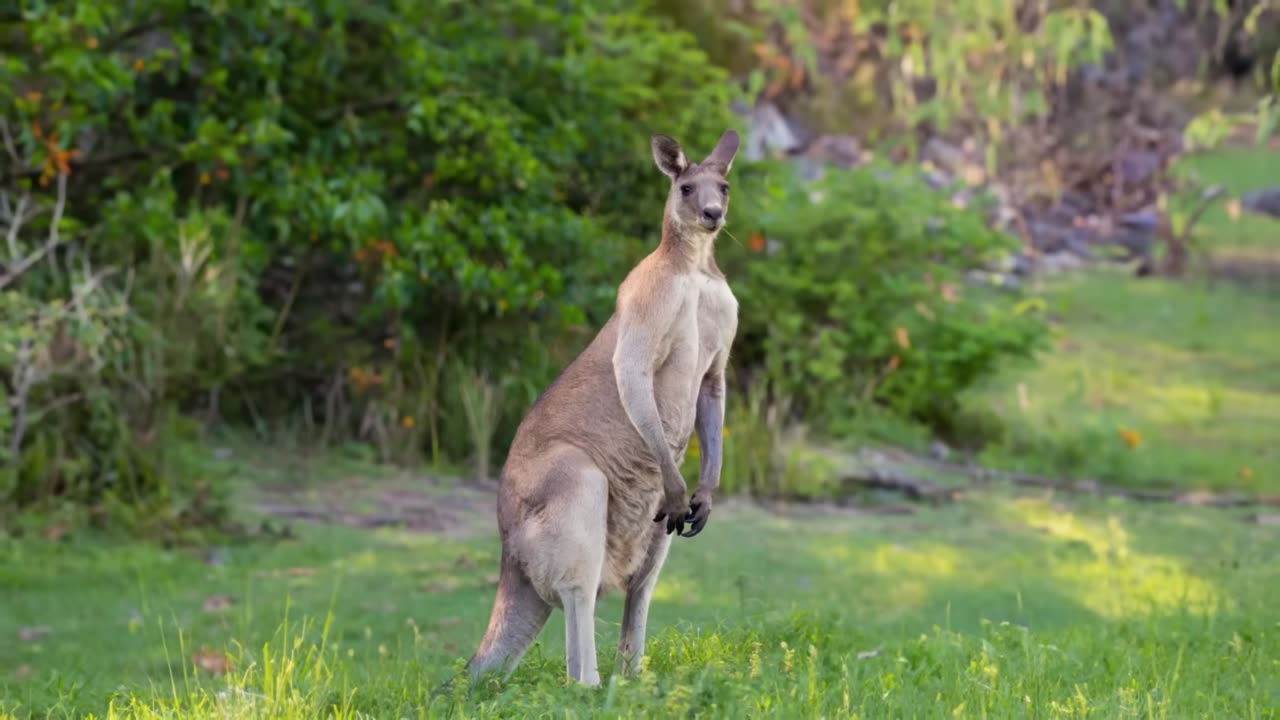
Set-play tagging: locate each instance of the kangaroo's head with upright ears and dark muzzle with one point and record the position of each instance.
(700, 193)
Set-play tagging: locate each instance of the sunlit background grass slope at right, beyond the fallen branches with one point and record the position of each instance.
(1186, 368)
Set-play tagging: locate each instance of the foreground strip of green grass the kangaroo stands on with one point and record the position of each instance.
(1012, 607)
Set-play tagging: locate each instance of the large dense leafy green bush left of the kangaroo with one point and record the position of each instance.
(299, 216)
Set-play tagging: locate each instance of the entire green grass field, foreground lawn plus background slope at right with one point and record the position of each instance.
(1030, 605)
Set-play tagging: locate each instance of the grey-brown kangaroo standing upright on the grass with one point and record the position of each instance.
(591, 495)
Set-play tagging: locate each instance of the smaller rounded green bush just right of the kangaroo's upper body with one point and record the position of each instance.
(861, 298)
